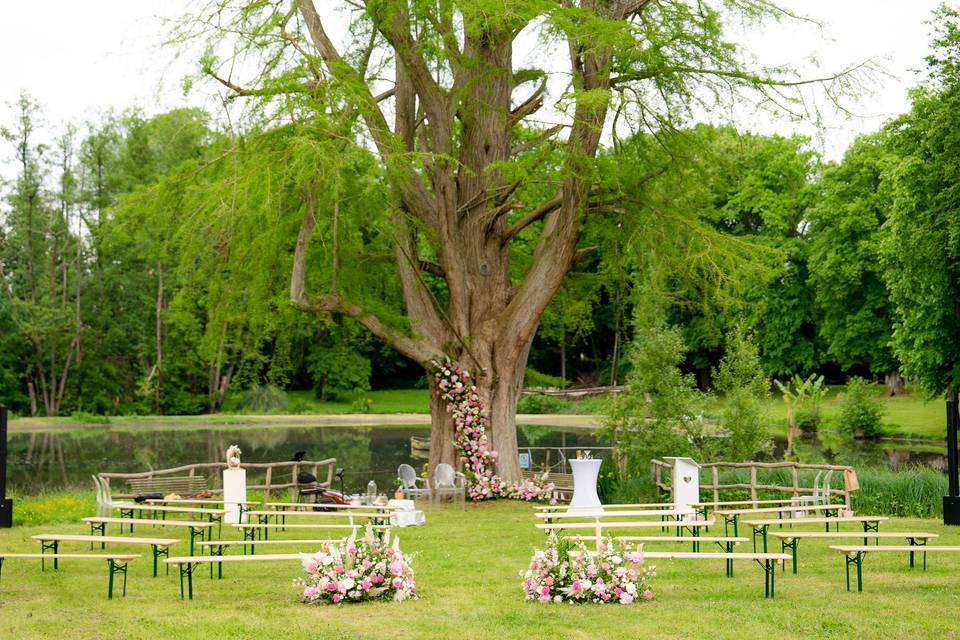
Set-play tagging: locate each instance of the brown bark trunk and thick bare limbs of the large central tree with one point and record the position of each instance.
(456, 198)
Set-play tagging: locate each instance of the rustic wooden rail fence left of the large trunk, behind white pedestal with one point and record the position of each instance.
(275, 477)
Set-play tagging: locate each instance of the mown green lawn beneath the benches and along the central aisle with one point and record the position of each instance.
(467, 566)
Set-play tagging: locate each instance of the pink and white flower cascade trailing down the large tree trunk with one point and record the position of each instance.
(470, 421)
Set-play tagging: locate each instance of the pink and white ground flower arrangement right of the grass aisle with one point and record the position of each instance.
(609, 576)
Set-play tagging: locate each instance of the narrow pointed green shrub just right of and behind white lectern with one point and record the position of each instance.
(741, 381)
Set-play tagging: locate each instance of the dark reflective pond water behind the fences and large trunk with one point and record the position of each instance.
(51, 460)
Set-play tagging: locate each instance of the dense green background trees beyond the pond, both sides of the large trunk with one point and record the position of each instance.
(120, 294)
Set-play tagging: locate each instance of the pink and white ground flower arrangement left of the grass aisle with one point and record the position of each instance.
(358, 570)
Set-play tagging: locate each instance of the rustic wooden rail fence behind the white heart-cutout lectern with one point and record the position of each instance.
(850, 483)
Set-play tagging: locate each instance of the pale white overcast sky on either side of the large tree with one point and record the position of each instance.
(78, 58)
